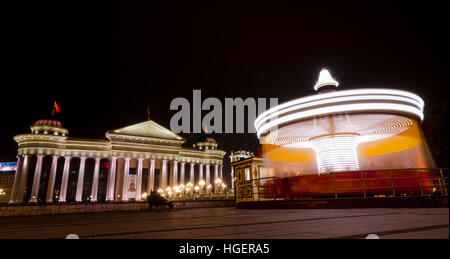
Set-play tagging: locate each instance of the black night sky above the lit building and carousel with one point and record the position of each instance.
(105, 62)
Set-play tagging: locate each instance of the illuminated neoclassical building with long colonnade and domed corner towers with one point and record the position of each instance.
(131, 161)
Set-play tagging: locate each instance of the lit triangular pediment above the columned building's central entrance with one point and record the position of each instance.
(146, 129)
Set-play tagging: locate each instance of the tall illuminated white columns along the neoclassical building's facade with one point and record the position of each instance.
(20, 178)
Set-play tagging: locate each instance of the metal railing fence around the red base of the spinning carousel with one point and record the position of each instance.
(363, 183)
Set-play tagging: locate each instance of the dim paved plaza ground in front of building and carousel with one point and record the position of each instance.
(211, 223)
